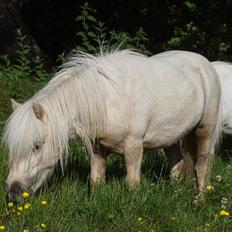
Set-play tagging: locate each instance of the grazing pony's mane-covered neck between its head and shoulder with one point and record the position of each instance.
(76, 106)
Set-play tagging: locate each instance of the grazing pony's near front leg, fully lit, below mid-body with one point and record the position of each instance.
(133, 152)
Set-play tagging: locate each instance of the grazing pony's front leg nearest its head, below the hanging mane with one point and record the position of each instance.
(97, 165)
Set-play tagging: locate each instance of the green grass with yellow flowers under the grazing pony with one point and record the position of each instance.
(159, 205)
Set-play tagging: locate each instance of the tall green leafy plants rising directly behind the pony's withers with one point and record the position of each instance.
(94, 35)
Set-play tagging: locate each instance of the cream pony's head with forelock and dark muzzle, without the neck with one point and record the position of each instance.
(31, 156)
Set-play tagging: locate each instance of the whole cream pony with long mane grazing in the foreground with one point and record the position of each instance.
(119, 102)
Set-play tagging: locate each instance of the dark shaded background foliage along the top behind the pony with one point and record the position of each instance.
(201, 26)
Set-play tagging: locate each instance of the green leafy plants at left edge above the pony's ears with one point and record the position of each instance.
(22, 78)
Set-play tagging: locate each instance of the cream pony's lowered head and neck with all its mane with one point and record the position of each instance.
(37, 133)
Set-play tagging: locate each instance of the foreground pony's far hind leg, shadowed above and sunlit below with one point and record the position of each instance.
(175, 160)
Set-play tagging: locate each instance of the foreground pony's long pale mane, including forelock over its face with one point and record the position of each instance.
(78, 85)
